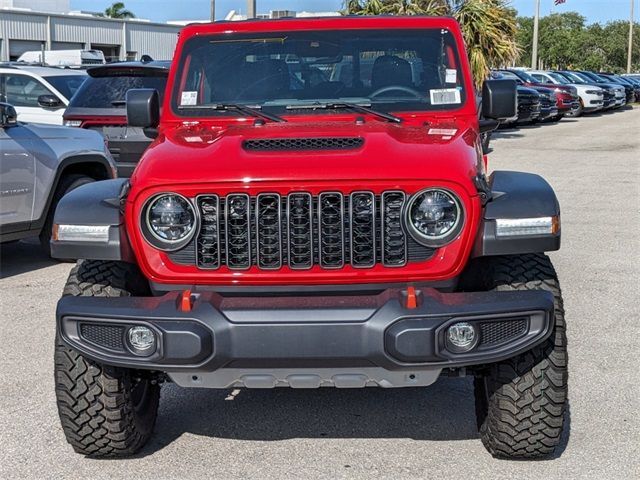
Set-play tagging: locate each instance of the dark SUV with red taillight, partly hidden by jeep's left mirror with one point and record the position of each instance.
(100, 105)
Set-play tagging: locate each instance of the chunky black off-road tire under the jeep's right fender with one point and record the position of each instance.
(521, 402)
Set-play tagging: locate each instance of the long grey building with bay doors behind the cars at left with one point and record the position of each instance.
(22, 30)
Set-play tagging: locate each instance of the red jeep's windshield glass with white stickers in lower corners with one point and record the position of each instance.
(393, 70)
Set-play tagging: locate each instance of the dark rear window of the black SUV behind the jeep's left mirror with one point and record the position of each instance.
(110, 92)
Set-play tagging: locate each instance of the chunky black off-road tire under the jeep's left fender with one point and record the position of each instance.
(105, 411)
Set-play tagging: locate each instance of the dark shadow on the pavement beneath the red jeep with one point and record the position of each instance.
(443, 412)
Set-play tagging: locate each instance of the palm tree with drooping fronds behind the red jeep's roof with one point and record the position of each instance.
(488, 26)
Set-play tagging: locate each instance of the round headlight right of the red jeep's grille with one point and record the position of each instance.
(434, 217)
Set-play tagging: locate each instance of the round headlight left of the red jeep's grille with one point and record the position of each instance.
(169, 221)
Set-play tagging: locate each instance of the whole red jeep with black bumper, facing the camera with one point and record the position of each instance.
(314, 211)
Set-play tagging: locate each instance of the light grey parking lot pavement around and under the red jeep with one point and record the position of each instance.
(594, 165)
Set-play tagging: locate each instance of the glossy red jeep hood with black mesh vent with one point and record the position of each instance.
(199, 152)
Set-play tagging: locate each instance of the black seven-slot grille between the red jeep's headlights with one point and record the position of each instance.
(300, 230)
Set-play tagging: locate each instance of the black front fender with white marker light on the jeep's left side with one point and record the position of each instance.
(93, 205)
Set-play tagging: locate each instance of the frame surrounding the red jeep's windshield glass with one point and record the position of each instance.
(465, 86)
